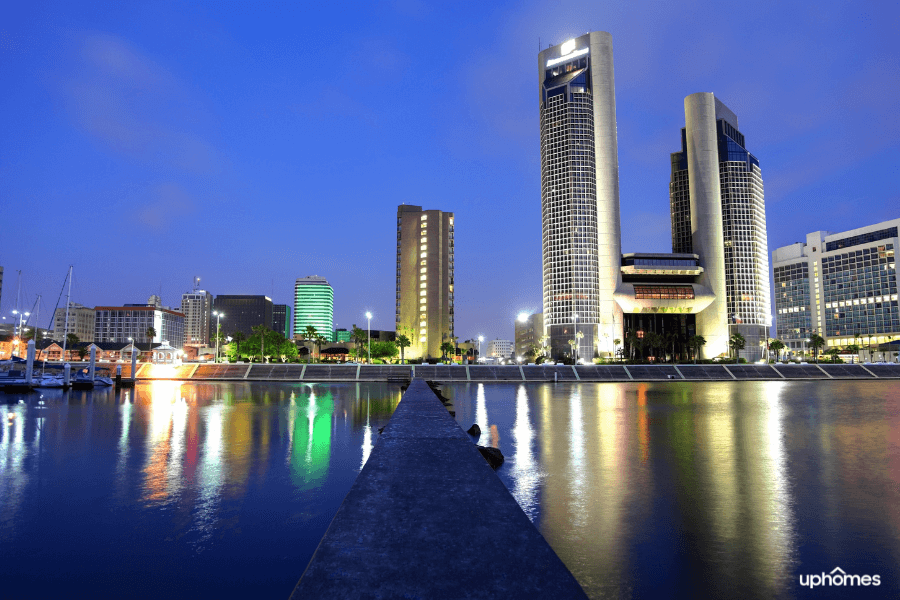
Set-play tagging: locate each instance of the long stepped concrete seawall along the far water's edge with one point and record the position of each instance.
(508, 373)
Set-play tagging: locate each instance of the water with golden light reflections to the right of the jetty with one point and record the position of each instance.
(697, 490)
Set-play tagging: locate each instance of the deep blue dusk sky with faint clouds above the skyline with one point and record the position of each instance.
(252, 143)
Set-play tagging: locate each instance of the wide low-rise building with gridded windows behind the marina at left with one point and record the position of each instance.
(131, 321)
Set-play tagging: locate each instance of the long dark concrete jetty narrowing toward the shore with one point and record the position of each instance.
(428, 518)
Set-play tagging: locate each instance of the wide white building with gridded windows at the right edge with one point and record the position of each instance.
(841, 286)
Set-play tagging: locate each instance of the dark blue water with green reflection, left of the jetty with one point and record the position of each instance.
(177, 490)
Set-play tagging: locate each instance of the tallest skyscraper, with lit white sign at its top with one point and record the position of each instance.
(580, 194)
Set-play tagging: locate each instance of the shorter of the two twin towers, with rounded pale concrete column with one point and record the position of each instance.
(718, 213)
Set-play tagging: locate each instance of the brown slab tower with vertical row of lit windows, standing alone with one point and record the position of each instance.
(424, 309)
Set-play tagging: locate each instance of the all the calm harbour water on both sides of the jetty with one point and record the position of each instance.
(644, 490)
